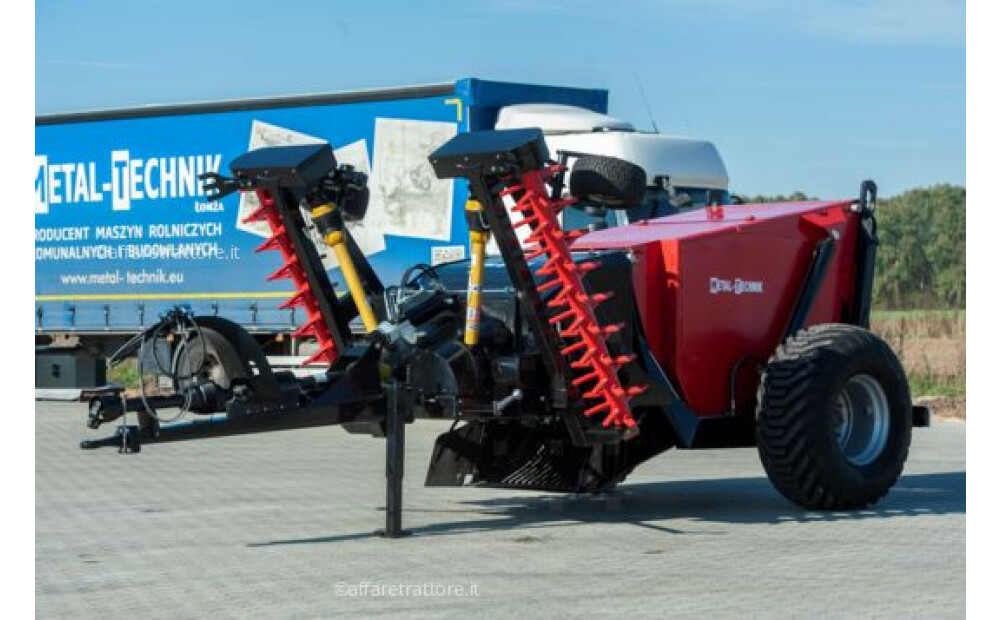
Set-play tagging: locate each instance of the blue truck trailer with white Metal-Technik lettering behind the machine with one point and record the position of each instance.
(124, 231)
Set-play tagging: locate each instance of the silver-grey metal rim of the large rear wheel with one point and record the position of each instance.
(861, 427)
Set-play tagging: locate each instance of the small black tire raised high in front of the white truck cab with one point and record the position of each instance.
(613, 182)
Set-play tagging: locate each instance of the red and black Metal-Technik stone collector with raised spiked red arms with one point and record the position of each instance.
(574, 358)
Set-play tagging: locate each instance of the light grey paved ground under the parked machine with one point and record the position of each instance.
(279, 525)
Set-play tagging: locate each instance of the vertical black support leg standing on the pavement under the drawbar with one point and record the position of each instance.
(395, 445)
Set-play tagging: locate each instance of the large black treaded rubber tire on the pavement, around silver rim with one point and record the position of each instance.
(796, 417)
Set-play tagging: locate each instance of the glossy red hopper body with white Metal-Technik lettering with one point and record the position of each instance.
(716, 290)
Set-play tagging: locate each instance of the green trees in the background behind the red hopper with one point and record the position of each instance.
(921, 256)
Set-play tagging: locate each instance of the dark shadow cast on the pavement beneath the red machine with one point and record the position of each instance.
(720, 501)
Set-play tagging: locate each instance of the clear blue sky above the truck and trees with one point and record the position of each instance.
(810, 95)
